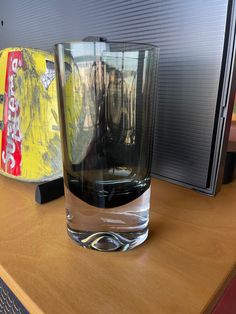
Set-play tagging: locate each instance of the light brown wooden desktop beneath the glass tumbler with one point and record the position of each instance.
(190, 251)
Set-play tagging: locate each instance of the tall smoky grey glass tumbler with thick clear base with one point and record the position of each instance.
(107, 95)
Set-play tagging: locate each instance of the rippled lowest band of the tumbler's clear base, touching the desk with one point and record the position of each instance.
(108, 241)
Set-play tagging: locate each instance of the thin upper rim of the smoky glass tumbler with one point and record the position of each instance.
(152, 46)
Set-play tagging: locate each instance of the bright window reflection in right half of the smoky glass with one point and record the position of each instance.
(121, 94)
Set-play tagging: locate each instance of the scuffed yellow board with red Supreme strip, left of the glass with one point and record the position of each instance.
(29, 137)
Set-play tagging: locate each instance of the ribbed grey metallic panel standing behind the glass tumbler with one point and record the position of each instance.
(190, 35)
